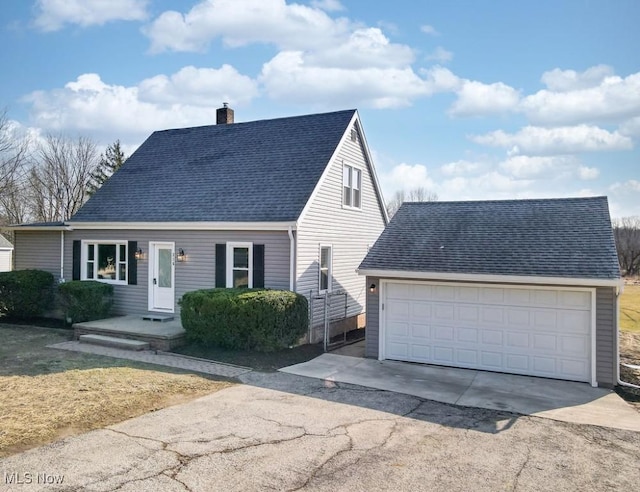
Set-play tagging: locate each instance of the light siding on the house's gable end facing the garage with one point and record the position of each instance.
(349, 232)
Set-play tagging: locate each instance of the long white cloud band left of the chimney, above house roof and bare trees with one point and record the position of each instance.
(186, 98)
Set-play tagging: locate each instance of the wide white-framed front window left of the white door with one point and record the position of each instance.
(105, 261)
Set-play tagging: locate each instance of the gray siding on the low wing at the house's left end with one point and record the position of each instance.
(38, 250)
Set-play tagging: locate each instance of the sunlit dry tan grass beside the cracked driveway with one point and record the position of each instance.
(39, 409)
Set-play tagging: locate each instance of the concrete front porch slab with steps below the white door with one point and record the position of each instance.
(157, 331)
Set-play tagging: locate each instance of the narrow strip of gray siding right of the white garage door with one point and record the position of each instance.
(606, 333)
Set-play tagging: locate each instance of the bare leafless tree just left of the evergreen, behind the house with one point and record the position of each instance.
(58, 181)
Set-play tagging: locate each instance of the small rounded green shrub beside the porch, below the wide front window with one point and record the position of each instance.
(86, 300)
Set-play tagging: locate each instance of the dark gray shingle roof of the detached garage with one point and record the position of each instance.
(570, 237)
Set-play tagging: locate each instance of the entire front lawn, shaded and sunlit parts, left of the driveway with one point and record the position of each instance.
(50, 393)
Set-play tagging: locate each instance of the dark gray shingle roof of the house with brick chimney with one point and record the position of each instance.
(243, 172)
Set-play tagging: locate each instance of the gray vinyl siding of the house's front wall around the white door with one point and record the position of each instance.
(198, 272)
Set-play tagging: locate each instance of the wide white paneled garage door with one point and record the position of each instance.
(520, 330)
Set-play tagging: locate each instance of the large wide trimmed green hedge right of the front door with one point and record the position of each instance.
(246, 319)
